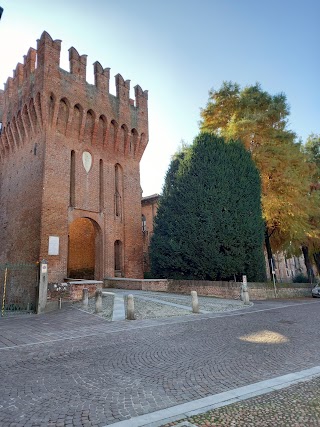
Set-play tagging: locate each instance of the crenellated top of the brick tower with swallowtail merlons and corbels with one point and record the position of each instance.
(43, 96)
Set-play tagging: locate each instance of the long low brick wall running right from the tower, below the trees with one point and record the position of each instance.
(257, 291)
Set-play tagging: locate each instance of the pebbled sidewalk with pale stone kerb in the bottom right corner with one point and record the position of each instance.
(288, 400)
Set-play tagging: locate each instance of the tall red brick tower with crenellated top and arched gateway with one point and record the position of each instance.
(69, 167)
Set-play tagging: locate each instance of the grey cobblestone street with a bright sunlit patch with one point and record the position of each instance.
(72, 368)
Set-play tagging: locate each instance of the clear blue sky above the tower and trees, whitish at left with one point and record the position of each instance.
(178, 50)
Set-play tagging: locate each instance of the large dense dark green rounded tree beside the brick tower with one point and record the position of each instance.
(209, 224)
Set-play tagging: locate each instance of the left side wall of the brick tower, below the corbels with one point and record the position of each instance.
(20, 200)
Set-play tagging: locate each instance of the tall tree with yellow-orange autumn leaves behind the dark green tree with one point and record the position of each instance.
(260, 121)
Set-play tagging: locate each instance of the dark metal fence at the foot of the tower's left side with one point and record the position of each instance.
(18, 288)
